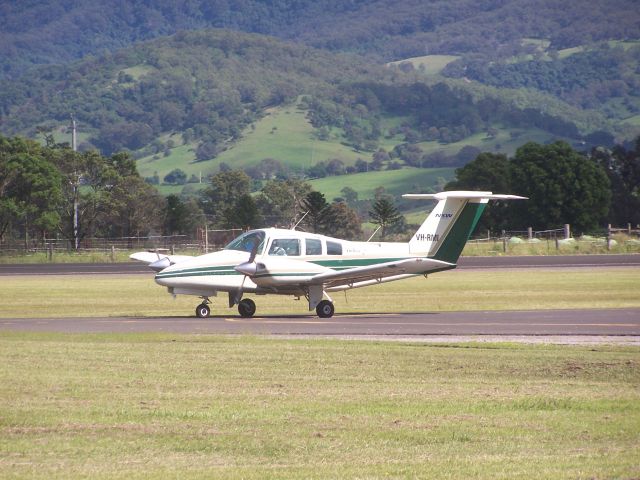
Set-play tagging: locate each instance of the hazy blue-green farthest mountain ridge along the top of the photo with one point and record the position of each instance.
(59, 31)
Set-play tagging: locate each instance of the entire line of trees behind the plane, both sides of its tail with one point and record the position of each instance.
(40, 187)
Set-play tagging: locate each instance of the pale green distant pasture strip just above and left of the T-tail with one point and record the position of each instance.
(396, 182)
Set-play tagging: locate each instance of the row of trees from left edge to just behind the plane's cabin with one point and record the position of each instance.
(54, 192)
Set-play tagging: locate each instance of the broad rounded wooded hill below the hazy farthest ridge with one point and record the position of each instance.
(210, 85)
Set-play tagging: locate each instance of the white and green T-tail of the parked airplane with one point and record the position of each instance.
(446, 230)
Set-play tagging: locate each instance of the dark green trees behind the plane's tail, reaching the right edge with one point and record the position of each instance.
(563, 186)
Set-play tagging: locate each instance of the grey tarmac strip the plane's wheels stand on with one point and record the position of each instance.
(542, 322)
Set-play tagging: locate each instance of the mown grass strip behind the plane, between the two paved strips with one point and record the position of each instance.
(458, 290)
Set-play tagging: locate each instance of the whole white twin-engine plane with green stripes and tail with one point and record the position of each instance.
(290, 262)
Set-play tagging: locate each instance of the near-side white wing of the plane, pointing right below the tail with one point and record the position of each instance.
(409, 266)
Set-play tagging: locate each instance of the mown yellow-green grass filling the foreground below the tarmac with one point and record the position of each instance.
(171, 406)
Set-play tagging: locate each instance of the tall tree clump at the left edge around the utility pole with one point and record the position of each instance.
(40, 188)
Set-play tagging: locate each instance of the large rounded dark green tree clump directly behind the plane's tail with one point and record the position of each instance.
(563, 186)
